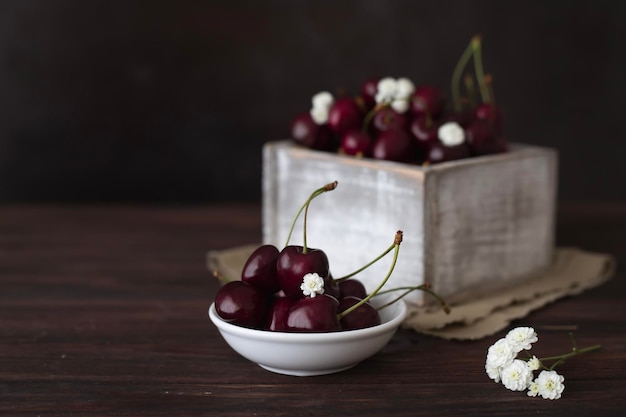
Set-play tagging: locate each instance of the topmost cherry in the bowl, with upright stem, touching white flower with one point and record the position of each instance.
(293, 264)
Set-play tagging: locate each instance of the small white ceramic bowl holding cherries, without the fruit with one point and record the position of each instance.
(305, 354)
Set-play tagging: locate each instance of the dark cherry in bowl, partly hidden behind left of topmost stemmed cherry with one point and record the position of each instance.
(260, 269)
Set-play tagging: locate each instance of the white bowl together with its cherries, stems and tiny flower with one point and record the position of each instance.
(289, 315)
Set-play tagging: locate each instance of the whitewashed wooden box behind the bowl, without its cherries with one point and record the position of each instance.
(470, 226)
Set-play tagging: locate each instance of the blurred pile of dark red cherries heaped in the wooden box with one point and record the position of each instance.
(367, 125)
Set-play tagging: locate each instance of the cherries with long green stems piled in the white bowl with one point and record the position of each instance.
(293, 290)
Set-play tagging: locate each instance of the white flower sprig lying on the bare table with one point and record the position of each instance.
(502, 365)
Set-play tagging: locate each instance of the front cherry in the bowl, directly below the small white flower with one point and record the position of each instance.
(314, 314)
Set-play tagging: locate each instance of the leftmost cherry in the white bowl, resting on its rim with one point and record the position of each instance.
(240, 303)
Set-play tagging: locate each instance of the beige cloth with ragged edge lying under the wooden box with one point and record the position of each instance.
(572, 272)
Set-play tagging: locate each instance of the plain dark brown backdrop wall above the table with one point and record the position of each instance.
(171, 101)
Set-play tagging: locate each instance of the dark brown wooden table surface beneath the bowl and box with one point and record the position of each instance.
(103, 312)
